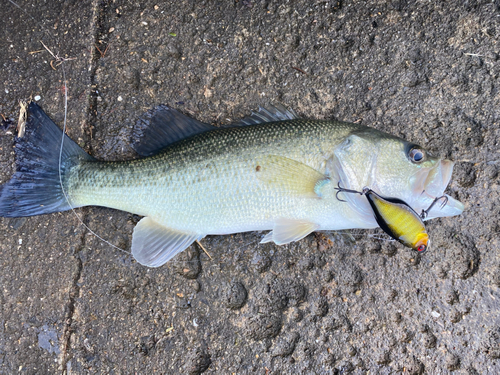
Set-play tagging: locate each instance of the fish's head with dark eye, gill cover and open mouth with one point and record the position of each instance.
(393, 167)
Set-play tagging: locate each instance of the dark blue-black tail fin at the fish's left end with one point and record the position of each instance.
(35, 188)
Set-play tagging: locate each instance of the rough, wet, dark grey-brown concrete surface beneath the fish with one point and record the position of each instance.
(427, 71)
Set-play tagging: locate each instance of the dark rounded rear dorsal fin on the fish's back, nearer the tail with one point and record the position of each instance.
(161, 127)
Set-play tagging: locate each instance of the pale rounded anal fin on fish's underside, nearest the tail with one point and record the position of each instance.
(153, 245)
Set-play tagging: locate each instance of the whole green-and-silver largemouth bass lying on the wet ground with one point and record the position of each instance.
(269, 171)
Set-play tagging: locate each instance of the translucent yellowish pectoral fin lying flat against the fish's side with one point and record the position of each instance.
(290, 176)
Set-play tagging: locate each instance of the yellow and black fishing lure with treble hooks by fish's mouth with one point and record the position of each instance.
(397, 218)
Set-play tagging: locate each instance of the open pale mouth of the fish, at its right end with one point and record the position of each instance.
(432, 186)
